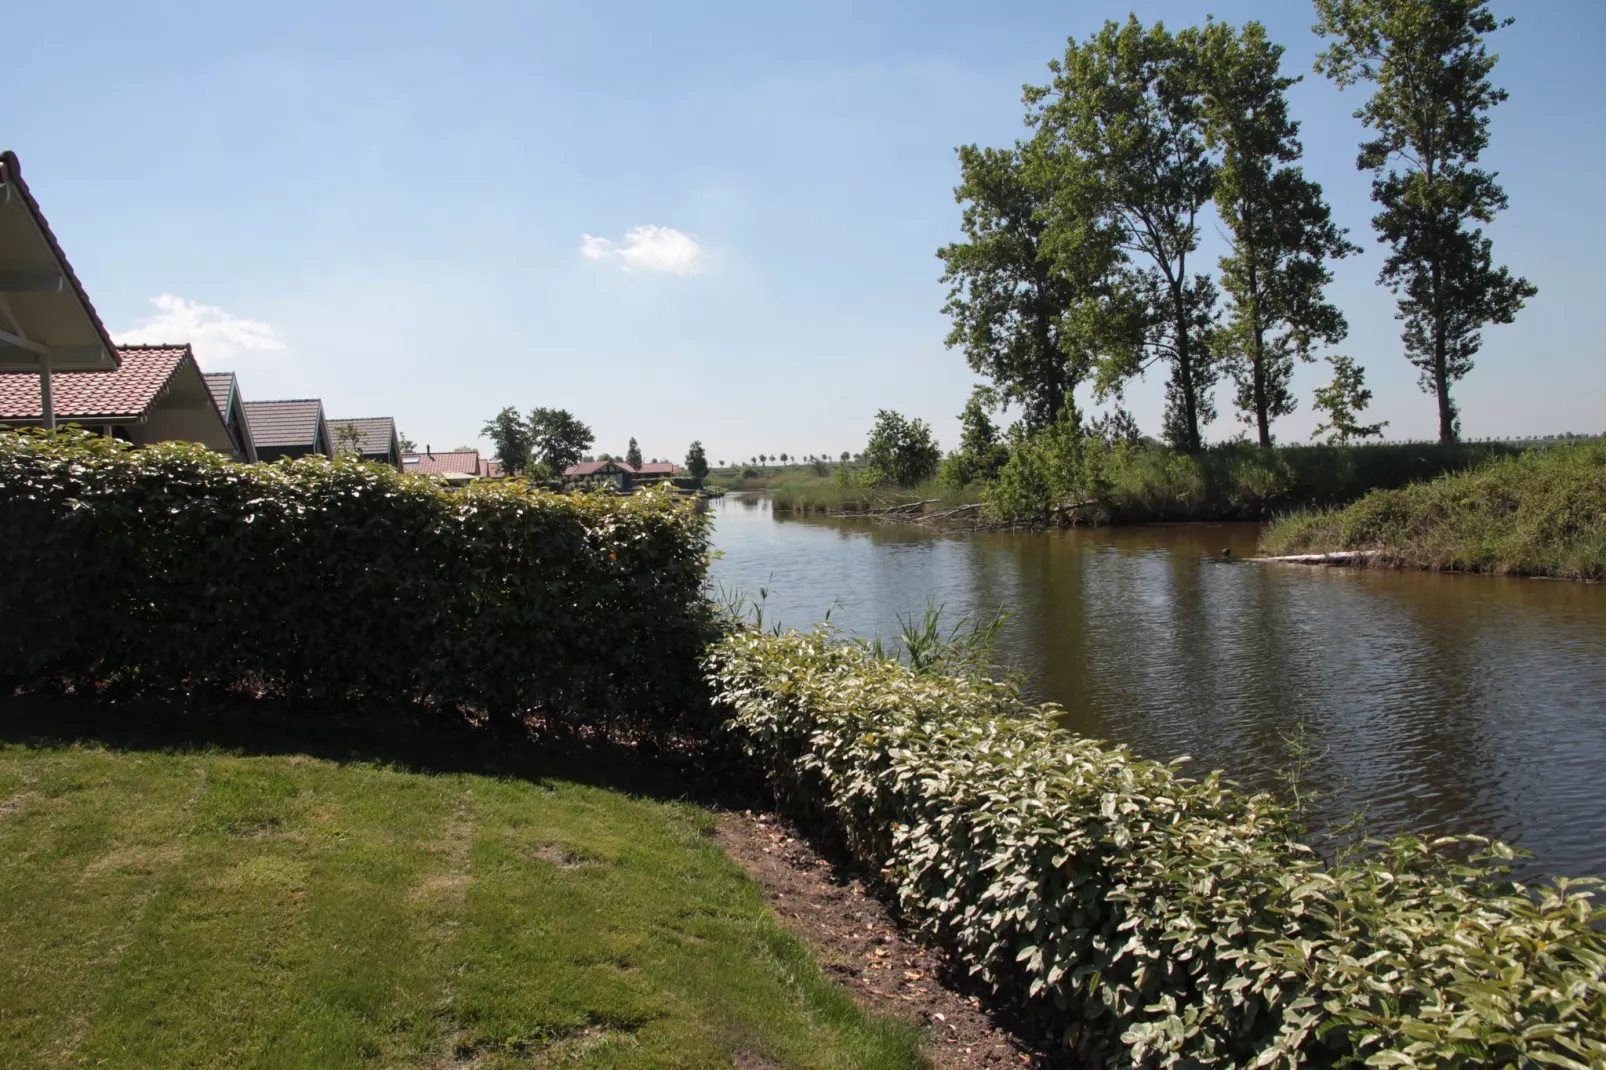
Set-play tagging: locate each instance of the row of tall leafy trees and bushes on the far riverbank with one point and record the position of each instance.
(1080, 263)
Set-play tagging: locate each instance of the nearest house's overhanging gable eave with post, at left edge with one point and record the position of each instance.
(47, 322)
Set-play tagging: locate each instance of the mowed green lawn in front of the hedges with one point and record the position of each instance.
(171, 904)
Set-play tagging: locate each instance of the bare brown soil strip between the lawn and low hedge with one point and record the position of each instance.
(858, 941)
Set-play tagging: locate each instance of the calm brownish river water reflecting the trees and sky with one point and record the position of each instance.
(1449, 704)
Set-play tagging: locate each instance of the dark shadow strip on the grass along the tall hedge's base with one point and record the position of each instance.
(410, 741)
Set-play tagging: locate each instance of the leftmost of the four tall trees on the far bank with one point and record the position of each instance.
(1008, 296)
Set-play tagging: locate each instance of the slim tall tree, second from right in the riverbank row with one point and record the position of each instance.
(1279, 227)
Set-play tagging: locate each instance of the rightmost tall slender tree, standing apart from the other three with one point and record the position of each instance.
(1430, 112)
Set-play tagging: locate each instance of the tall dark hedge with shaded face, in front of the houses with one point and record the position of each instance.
(176, 568)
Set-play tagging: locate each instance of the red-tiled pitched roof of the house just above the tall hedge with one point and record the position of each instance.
(99, 396)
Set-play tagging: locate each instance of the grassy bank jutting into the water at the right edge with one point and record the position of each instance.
(1543, 513)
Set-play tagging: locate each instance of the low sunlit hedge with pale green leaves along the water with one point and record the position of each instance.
(1160, 920)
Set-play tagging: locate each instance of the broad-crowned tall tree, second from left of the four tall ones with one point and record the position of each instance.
(1122, 133)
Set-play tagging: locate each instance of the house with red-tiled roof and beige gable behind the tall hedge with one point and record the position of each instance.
(157, 394)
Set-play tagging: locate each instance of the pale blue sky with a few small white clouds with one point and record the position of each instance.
(706, 221)
